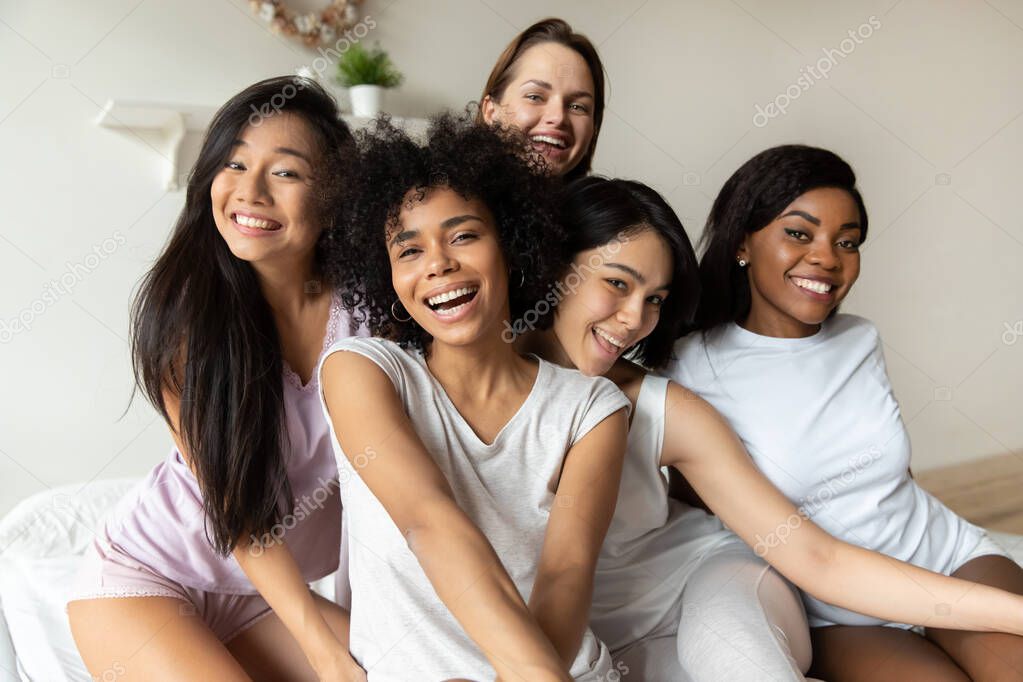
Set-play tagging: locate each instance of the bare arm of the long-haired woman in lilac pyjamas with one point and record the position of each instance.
(274, 572)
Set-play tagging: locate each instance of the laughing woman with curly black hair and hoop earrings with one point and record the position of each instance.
(478, 484)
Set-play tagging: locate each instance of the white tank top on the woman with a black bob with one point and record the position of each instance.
(655, 542)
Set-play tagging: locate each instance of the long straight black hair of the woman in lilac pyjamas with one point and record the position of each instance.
(202, 330)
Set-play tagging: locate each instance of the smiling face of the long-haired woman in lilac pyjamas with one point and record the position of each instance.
(263, 196)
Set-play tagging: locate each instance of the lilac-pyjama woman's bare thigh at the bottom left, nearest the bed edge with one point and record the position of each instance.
(149, 640)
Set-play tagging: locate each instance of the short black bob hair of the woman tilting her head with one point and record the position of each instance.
(599, 211)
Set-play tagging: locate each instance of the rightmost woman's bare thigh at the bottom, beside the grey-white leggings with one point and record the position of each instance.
(877, 654)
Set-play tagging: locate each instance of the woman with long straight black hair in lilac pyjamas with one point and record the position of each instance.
(202, 571)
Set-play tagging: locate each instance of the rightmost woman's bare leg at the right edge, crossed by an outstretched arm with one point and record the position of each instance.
(987, 656)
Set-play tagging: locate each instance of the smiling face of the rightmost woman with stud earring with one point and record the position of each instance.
(803, 264)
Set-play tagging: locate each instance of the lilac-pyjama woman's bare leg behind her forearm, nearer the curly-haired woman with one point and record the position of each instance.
(268, 651)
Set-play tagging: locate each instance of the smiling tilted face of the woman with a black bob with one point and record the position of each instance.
(617, 303)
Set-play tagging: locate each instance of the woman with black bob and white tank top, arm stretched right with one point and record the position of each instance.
(678, 597)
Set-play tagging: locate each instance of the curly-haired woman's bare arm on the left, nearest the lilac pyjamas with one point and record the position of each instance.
(457, 558)
